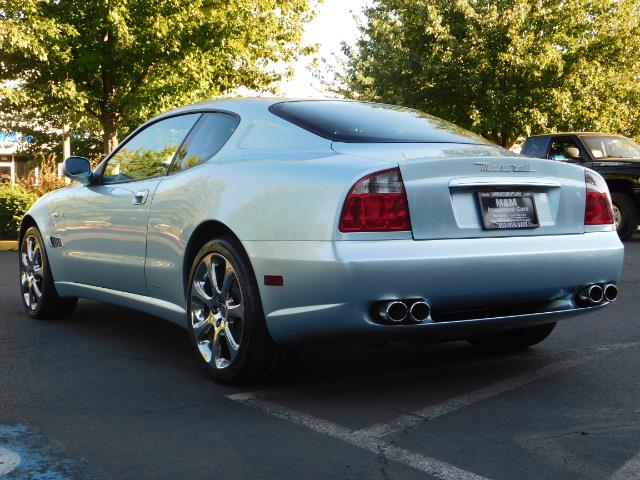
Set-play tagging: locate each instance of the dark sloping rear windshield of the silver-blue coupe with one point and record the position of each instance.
(361, 122)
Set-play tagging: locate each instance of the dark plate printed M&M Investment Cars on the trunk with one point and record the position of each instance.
(508, 210)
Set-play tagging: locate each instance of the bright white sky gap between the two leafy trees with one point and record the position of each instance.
(333, 24)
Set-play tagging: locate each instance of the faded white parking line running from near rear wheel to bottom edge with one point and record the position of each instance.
(428, 465)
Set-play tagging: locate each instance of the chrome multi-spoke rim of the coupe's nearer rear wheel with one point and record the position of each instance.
(217, 310)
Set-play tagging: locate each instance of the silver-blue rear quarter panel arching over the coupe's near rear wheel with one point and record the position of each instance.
(284, 197)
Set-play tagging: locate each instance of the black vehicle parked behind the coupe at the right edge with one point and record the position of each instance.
(615, 157)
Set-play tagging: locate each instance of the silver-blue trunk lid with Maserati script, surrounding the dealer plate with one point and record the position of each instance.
(443, 181)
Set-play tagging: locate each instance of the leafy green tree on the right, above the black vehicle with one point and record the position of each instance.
(504, 68)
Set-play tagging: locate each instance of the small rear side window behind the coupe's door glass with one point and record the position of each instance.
(205, 140)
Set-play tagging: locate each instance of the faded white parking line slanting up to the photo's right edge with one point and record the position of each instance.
(430, 412)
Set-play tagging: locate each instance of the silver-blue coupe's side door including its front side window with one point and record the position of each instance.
(106, 233)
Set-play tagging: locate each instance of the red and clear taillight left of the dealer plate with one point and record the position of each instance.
(376, 203)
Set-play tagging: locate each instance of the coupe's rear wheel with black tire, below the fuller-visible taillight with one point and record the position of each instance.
(257, 357)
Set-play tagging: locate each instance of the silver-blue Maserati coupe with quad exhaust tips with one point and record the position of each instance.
(261, 223)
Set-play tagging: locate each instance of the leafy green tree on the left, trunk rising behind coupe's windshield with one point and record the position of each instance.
(119, 62)
